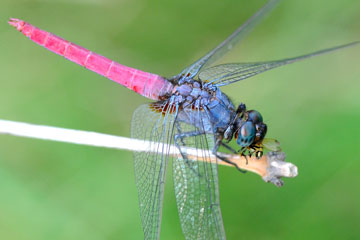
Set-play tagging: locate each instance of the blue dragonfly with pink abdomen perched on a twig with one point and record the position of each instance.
(189, 110)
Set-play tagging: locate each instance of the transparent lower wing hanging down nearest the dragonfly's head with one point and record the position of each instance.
(196, 184)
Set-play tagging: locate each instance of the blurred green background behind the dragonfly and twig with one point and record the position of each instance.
(51, 190)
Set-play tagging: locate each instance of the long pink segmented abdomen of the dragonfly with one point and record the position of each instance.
(146, 84)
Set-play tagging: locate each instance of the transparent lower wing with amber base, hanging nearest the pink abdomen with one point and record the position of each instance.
(152, 122)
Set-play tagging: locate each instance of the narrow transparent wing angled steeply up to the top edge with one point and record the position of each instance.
(228, 43)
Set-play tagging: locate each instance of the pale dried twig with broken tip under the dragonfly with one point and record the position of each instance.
(271, 167)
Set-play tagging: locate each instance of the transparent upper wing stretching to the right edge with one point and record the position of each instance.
(225, 74)
